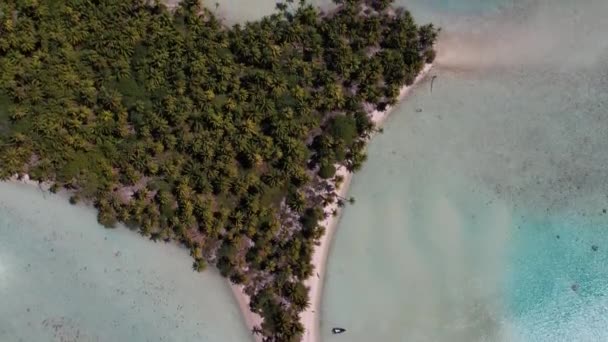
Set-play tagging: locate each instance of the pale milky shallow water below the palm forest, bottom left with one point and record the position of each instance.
(65, 278)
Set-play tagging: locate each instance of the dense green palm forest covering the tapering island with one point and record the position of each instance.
(222, 138)
